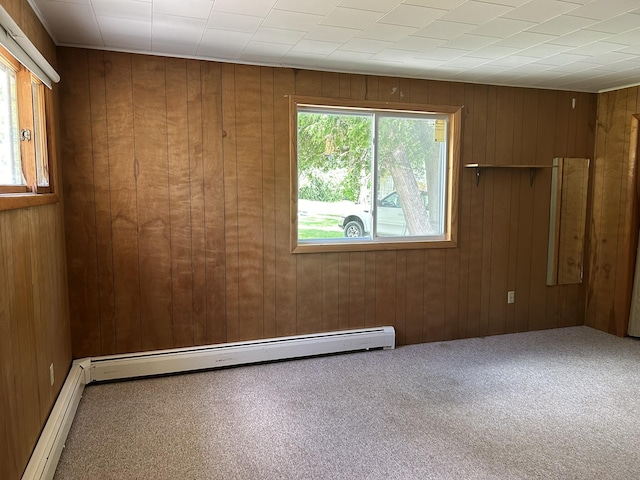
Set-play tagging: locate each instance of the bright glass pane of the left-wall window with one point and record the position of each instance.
(10, 164)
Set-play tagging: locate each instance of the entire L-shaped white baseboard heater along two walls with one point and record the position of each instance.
(45, 457)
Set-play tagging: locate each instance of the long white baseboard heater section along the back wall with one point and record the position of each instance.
(162, 362)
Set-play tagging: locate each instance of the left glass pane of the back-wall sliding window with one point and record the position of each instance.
(334, 175)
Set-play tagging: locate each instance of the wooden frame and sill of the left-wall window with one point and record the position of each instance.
(36, 154)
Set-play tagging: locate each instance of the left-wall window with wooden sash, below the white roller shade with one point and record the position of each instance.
(24, 167)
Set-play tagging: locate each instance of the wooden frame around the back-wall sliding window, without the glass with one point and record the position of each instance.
(450, 237)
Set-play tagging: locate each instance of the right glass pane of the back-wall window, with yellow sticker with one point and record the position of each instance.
(410, 176)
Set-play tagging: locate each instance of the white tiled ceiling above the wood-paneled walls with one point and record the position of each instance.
(580, 45)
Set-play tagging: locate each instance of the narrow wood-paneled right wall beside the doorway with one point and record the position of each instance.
(613, 223)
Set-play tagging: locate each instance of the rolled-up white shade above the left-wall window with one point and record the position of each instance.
(17, 43)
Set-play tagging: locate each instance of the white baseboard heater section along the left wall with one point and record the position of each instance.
(44, 459)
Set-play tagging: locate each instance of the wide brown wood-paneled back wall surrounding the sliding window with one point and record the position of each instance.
(177, 216)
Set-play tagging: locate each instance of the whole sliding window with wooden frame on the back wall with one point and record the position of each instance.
(371, 176)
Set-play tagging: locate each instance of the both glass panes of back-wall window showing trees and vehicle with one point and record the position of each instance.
(370, 174)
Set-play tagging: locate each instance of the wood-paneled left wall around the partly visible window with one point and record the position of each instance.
(34, 312)
